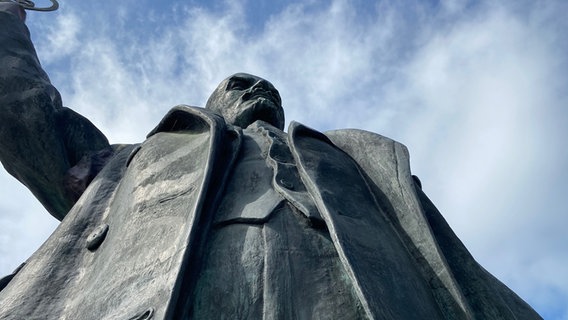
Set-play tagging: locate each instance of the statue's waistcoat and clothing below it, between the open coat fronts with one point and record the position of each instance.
(264, 259)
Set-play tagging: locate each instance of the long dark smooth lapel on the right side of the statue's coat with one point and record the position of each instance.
(383, 273)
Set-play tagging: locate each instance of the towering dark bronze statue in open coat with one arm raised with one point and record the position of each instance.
(220, 214)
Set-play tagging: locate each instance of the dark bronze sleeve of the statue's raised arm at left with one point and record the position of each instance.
(40, 140)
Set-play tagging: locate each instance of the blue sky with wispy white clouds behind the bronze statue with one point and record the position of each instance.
(477, 90)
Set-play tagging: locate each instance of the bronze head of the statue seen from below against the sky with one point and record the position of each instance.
(243, 98)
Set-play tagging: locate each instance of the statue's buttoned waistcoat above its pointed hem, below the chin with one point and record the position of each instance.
(263, 177)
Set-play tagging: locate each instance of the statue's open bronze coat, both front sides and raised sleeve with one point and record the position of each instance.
(128, 245)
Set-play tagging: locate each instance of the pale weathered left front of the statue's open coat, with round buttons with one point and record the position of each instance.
(152, 208)
